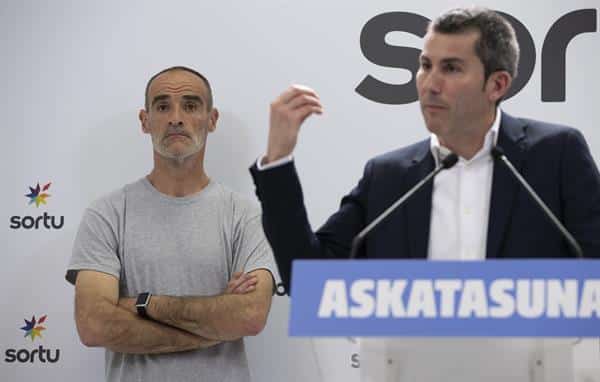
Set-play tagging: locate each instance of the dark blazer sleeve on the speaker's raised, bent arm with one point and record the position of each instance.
(286, 225)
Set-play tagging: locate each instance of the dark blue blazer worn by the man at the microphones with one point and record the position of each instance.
(554, 159)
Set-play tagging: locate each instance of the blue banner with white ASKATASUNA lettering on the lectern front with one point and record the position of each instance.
(491, 298)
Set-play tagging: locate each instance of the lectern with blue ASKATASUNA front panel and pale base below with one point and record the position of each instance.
(422, 321)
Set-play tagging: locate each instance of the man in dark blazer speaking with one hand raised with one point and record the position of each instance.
(466, 67)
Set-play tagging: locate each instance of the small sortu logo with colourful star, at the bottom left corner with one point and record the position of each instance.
(33, 329)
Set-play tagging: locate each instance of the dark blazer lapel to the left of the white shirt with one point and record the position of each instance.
(418, 210)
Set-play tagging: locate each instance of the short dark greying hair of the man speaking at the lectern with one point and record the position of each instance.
(497, 47)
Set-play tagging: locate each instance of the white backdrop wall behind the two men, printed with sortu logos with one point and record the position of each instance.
(73, 75)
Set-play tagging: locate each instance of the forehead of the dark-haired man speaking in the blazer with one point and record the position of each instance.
(441, 46)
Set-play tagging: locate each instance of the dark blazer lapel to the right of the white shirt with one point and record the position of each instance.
(512, 139)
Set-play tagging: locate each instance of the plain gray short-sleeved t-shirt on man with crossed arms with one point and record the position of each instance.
(177, 246)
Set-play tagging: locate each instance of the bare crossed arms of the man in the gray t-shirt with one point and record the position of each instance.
(179, 323)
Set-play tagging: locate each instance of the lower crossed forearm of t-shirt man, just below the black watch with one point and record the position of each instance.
(119, 330)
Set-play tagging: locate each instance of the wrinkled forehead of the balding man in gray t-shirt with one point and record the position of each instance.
(177, 83)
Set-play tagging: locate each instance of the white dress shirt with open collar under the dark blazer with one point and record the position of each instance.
(460, 202)
